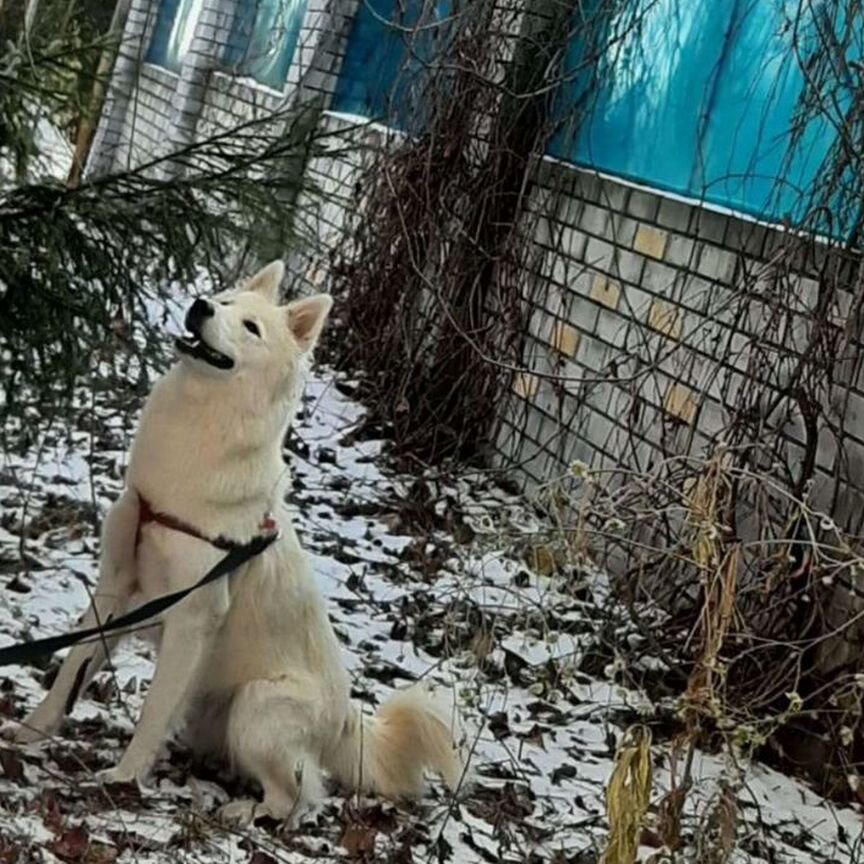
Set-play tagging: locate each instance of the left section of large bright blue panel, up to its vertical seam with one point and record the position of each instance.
(645, 121)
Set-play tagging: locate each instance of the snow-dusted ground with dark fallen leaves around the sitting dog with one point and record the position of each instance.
(424, 579)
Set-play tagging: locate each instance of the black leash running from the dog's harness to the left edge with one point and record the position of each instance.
(24, 653)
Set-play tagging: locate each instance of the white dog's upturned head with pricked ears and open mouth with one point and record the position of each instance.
(244, 333)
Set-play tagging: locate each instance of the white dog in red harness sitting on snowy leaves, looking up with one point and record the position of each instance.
(249, 665)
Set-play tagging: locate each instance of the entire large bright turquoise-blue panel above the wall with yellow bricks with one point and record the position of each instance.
(699, 99)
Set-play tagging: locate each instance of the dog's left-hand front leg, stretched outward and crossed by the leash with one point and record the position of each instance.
(115, 587)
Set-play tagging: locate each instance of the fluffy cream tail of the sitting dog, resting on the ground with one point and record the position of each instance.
(388, 753)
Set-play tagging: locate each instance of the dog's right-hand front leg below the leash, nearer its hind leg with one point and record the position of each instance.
(186, 639)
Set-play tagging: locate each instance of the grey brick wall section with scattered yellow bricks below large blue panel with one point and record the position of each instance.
(641, 336)
